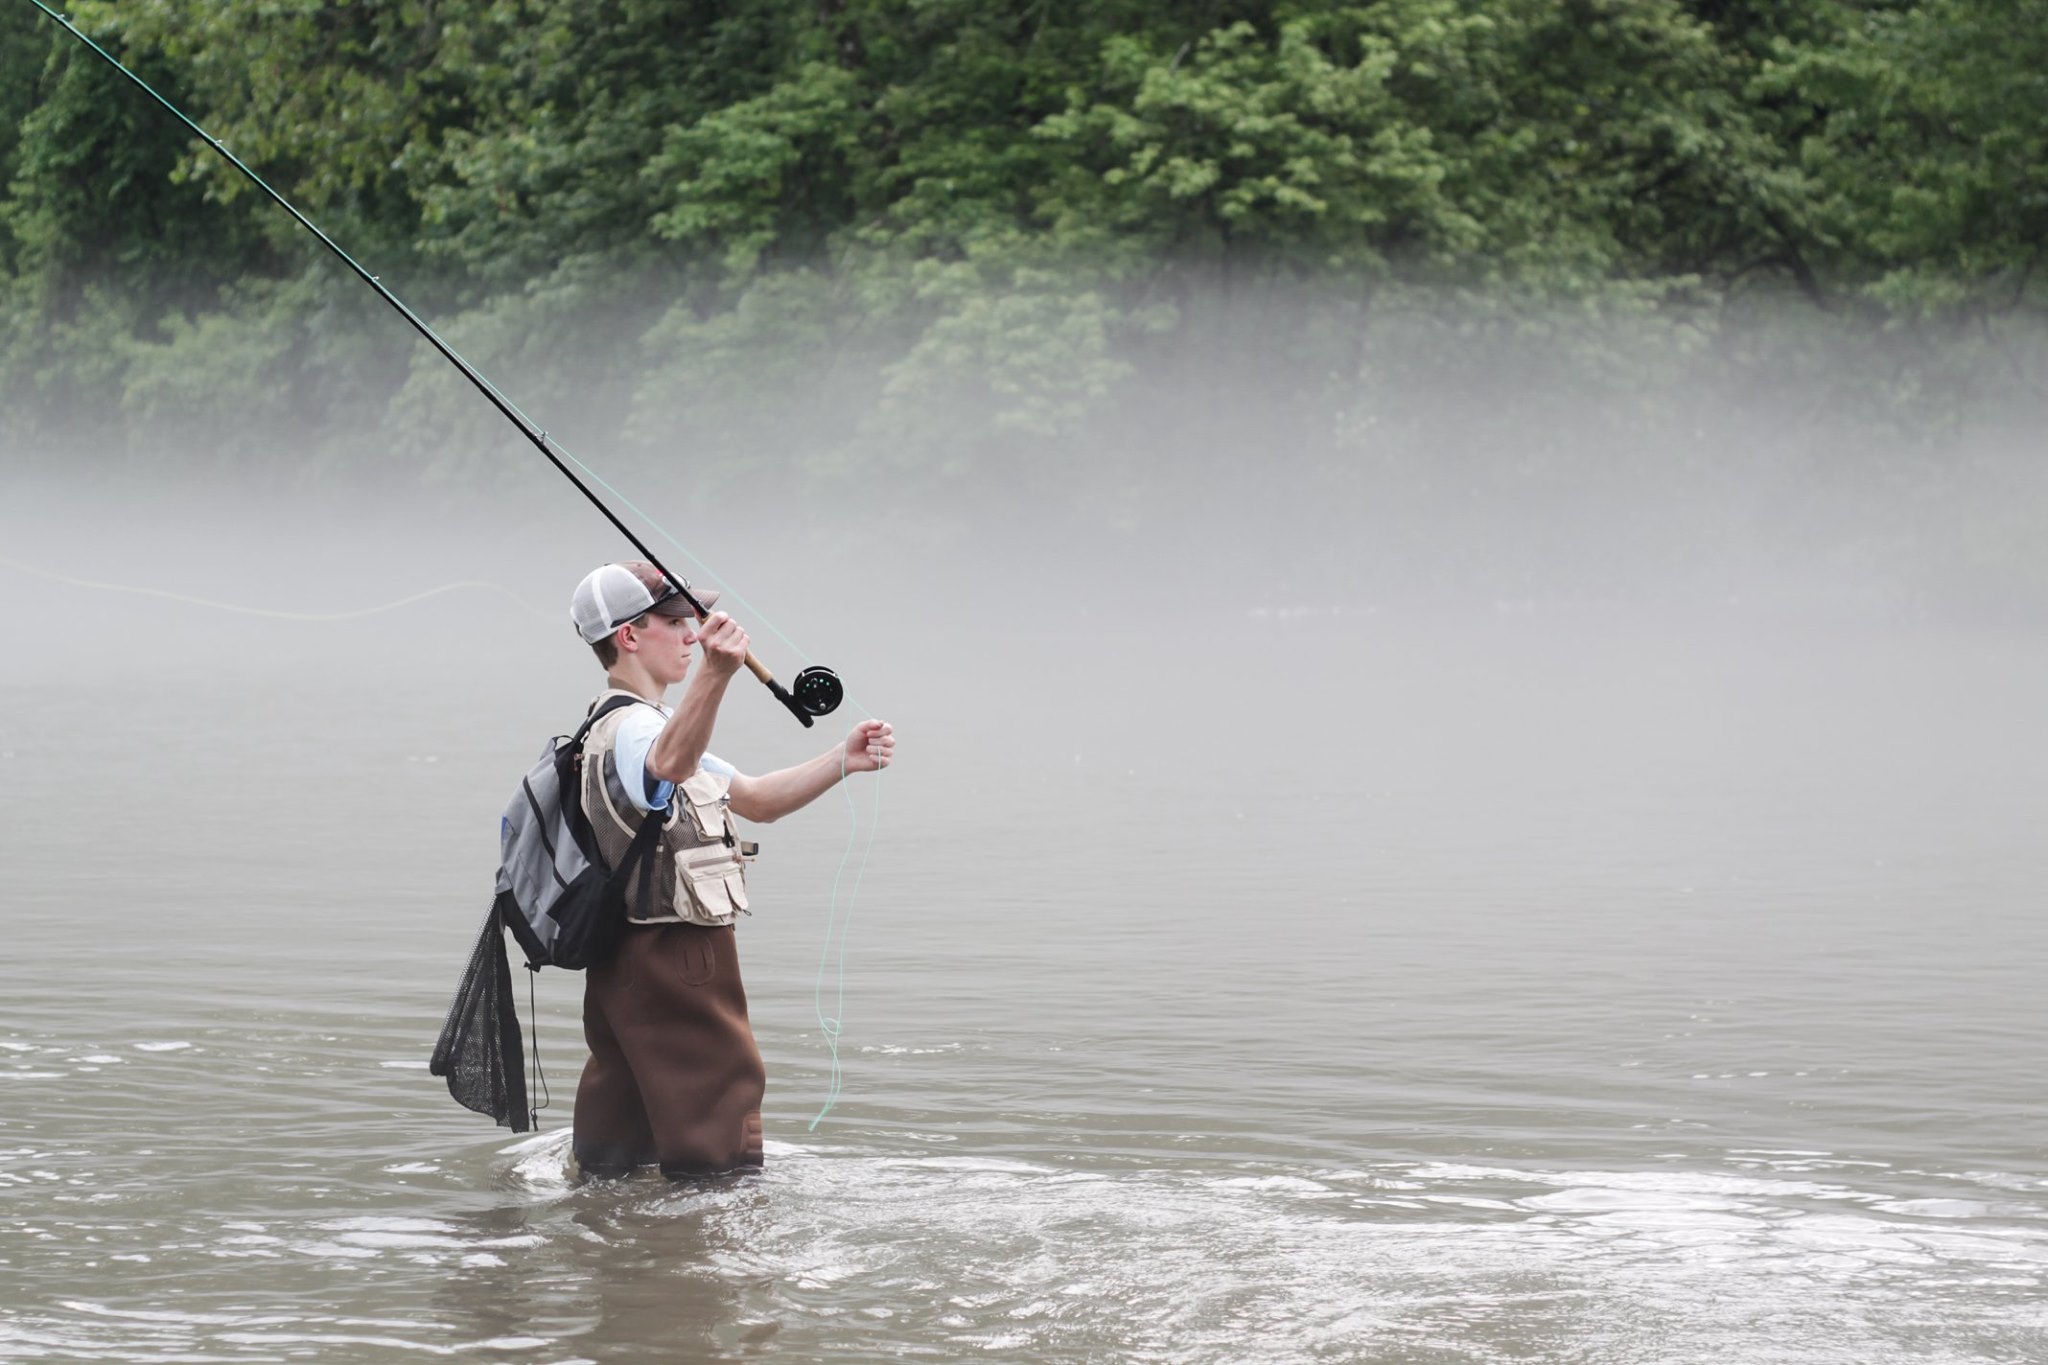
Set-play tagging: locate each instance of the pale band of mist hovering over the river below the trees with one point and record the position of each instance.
(1469, 549)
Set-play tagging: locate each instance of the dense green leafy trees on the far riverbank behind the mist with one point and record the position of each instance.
(658, 216)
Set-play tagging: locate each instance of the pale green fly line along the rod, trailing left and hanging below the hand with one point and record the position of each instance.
(818, 691)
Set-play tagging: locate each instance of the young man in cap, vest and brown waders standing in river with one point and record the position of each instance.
(675, 1077)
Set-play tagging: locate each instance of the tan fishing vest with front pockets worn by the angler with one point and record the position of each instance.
(697, 875)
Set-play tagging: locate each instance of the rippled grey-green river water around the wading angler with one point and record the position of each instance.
(1302, 981)
